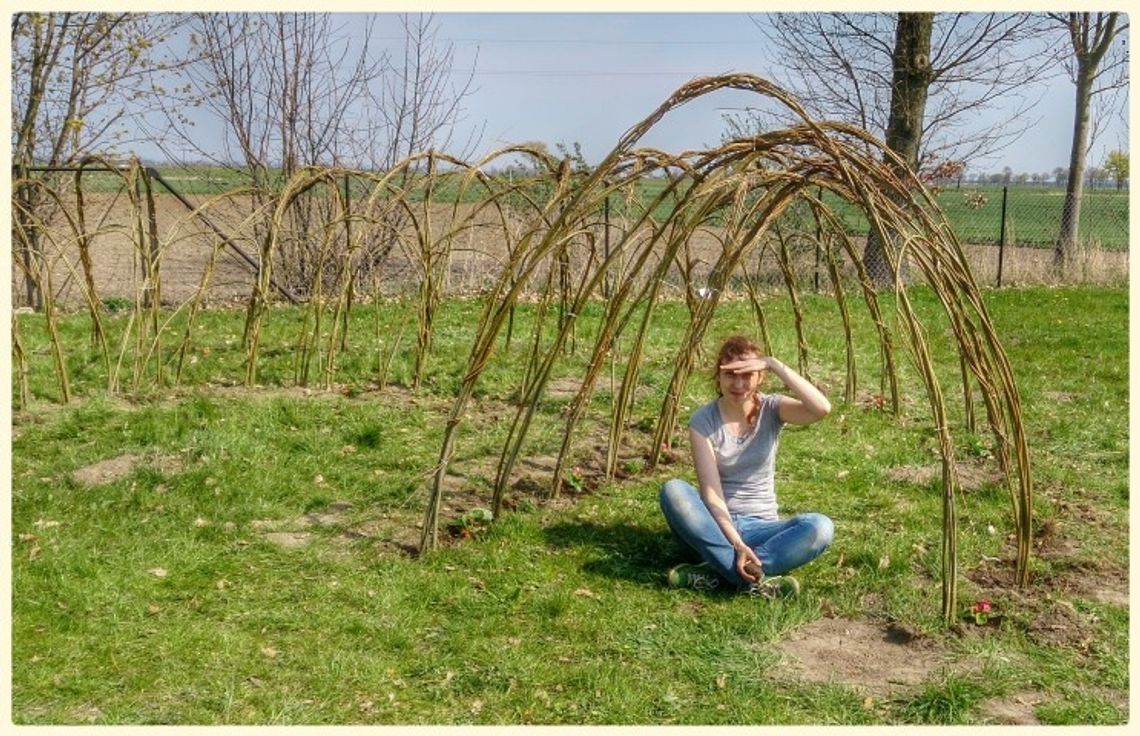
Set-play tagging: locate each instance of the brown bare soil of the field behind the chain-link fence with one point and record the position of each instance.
(188, 246)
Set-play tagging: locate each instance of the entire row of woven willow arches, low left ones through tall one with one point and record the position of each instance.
(751, 187)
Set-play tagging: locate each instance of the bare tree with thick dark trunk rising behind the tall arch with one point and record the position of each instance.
(918, 79)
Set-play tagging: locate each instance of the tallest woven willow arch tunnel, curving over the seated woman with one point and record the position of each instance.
(750, 184)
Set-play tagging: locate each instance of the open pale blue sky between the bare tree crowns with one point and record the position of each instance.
(588, 78)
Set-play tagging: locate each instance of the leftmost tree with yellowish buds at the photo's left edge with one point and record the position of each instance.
(76, 80)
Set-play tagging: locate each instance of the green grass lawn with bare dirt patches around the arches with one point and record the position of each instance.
(559, 612)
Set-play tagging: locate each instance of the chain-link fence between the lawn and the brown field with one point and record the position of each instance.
(203, 232)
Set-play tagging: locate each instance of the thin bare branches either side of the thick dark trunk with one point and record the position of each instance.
(841, 67)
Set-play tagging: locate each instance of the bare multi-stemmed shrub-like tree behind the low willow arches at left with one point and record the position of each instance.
(290, 91)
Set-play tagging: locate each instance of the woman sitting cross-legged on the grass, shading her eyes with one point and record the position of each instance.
(731, 521)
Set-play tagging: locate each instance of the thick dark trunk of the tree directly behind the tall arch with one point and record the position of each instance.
(910, 85)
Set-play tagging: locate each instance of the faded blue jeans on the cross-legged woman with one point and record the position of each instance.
(781, 545)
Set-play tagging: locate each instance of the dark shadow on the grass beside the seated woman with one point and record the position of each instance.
(630, 553)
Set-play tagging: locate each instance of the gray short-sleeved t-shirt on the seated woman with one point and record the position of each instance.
(747, 465)
